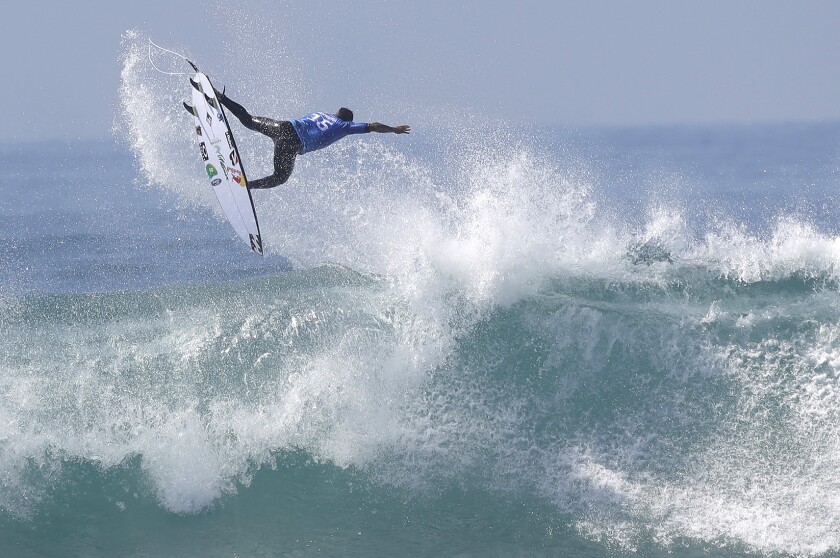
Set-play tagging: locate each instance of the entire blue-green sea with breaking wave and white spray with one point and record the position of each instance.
(469, 342)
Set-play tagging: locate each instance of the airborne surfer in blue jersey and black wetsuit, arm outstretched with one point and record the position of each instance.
(296, 137)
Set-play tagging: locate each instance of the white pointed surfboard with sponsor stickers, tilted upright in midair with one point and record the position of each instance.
(221, 163)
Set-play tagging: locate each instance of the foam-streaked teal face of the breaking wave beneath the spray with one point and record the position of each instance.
(630, 412)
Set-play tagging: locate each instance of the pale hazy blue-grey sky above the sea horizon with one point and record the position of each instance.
(568, 63)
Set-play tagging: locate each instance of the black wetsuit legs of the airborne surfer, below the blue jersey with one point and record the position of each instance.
(287, 143)
